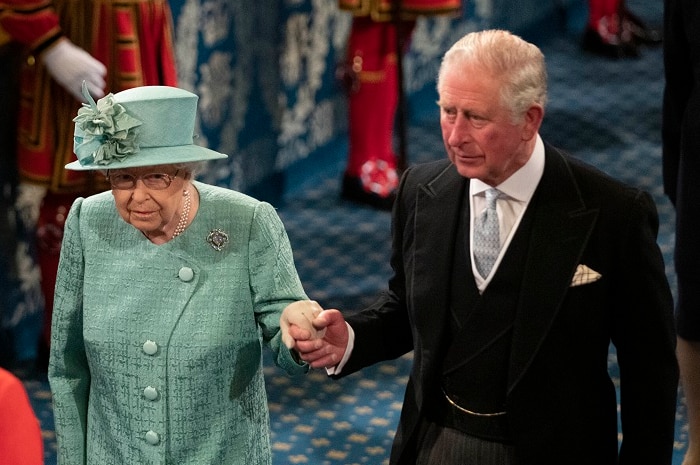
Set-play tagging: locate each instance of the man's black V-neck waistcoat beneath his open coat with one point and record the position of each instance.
(479, 332)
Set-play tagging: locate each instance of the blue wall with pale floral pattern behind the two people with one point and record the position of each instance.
(265, 74)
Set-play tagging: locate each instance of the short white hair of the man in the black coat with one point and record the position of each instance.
(518, 64)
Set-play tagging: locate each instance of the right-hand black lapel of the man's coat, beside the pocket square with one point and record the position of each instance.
(562, 224)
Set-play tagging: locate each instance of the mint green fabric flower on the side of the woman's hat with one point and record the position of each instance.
(108, 132)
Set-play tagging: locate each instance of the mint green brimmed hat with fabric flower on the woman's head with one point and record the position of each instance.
(143, 126)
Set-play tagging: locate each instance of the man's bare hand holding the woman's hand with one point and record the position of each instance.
(328, 350)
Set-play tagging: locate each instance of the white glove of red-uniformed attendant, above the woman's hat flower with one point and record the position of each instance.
(70, 65)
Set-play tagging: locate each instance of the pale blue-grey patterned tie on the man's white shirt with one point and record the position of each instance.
(487, 242)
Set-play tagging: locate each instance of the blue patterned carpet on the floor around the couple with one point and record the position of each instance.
(606, 112)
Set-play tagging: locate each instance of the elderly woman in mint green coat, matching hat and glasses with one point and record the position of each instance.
(167, 291)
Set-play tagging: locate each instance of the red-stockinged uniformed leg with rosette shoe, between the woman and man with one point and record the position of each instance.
(370, 175)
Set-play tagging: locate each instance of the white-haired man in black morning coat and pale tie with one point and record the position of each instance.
(515, 266)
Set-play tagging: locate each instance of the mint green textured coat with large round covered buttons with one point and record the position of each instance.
(156, 351)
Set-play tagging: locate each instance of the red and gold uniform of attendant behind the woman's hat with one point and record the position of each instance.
(132, 39)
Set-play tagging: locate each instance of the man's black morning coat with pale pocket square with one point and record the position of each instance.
(560, 400)
